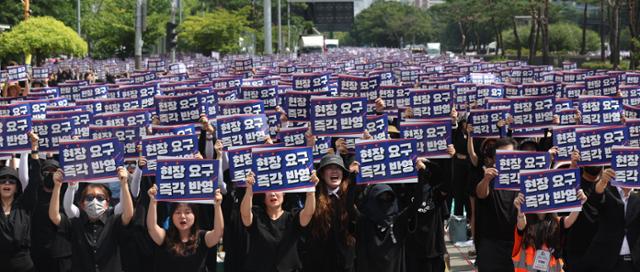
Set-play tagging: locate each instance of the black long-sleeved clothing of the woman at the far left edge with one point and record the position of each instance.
(15, 228)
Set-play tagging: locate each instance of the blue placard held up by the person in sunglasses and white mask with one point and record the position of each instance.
(90, 160)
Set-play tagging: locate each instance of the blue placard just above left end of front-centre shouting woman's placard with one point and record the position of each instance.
(242, 129)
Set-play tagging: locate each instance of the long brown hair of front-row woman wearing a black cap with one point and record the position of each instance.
(324, 207)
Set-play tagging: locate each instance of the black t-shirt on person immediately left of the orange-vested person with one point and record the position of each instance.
(496, 215)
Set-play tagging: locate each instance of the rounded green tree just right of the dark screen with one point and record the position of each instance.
(389, 24)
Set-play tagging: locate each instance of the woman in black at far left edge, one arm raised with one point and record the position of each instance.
(17, 211)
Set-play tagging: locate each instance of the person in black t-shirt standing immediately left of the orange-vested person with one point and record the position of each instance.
(495, 219)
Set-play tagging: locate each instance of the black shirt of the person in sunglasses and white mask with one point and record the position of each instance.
(94, 244)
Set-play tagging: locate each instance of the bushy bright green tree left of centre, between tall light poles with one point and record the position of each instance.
(219, 31)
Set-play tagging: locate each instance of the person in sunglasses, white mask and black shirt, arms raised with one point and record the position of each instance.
(95, 234)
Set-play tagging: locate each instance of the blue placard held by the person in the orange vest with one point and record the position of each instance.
(550, 190)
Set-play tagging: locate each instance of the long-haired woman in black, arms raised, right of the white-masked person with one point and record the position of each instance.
(184, 246)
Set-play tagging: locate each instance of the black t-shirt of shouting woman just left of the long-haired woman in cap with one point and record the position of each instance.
(273, 244)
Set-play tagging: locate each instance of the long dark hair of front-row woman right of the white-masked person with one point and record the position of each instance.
(173, 242)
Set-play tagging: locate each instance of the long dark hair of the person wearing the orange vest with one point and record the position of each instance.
(542, 232)
